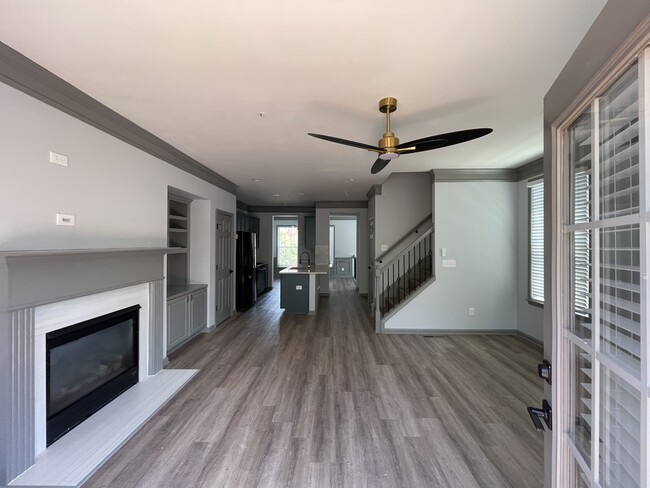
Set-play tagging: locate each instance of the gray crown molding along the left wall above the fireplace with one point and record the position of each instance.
(25, 75)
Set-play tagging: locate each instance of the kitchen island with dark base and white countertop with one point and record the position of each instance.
(299, 290)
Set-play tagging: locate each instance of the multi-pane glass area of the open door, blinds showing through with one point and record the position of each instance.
(605, 323)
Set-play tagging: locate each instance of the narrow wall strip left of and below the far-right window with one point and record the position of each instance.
(530, 319)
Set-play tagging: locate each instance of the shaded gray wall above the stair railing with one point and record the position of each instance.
(404, 202)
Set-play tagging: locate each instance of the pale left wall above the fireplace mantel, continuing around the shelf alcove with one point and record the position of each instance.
(117, 192)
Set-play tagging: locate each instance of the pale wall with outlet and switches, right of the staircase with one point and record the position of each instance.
(477, 224)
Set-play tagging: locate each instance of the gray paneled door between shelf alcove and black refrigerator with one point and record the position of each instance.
(224, 267)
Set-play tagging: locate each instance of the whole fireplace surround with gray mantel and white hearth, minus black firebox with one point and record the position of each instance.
(45, 291)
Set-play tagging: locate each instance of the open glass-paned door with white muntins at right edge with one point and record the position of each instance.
(601, 345)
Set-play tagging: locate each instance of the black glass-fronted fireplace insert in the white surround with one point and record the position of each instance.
(88, 365)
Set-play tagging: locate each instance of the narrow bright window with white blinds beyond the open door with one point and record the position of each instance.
(536, 241)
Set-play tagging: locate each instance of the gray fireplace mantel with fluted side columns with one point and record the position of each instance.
(29, 279)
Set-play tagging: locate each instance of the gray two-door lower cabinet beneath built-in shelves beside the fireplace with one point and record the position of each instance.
(186, 316)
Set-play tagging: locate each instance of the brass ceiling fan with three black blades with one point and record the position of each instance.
(389, 146)
